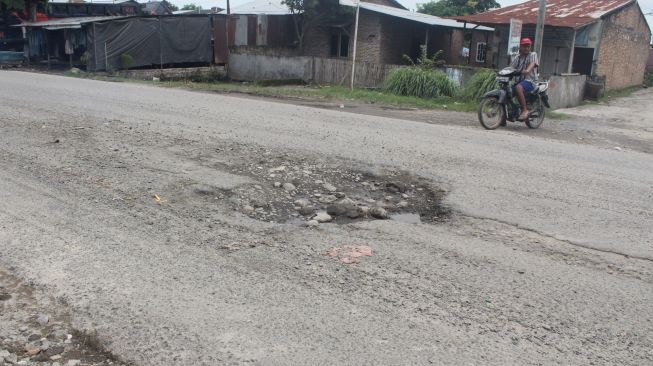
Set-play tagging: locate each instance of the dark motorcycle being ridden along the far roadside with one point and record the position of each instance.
(498, 106)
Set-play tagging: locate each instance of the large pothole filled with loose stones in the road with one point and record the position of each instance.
(307, 193)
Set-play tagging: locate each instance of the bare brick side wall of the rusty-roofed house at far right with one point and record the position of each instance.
(624, 49)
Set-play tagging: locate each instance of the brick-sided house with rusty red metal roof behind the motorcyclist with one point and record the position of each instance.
(603, 39)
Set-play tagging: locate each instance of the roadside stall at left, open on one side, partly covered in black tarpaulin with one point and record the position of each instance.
(121, 42)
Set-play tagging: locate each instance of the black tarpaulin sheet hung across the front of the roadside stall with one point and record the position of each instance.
(149, 41)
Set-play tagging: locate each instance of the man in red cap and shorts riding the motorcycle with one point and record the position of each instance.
(527, 62)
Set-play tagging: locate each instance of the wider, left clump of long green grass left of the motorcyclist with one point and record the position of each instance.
(417, 82)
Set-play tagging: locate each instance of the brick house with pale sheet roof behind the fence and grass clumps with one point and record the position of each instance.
(387, 32)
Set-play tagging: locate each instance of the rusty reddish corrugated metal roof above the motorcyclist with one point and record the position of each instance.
(559, 13)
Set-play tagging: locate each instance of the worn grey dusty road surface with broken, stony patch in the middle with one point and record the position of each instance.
(154, 218)
